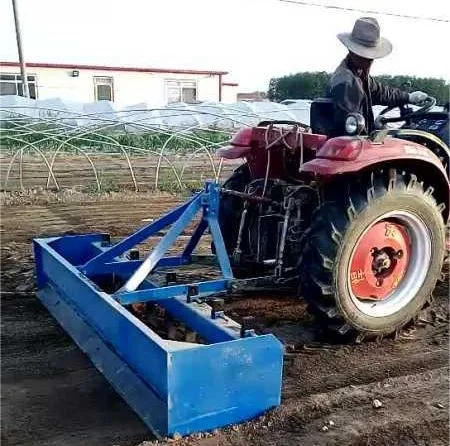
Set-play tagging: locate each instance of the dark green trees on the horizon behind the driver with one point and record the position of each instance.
(310, 85)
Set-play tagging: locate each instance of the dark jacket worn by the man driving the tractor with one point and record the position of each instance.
(352, 91)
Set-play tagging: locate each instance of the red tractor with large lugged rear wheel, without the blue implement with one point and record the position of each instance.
(357, 223)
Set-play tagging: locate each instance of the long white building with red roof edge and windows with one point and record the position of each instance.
(121, 85)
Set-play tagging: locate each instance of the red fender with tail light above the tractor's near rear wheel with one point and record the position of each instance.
(347, 155)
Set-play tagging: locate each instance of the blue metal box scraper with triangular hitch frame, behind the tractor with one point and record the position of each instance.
(175, 387)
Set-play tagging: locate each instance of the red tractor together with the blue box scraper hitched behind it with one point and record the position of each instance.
(355, 223)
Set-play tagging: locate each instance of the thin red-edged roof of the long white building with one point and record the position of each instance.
(108, 68)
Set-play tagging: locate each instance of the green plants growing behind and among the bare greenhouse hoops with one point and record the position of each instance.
(49, 138)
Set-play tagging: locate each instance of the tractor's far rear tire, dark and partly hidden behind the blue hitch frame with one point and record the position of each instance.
(230, 207)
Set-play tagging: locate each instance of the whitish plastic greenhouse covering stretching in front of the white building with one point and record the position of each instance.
(141, 117)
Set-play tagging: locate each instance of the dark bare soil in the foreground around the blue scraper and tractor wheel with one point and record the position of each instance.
(52, 395)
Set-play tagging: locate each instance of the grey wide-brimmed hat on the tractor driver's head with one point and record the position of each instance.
(365, 40)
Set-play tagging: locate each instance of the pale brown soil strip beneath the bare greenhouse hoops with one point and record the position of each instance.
(113, 171)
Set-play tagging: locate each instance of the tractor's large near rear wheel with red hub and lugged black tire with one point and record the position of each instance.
(373, 254)
